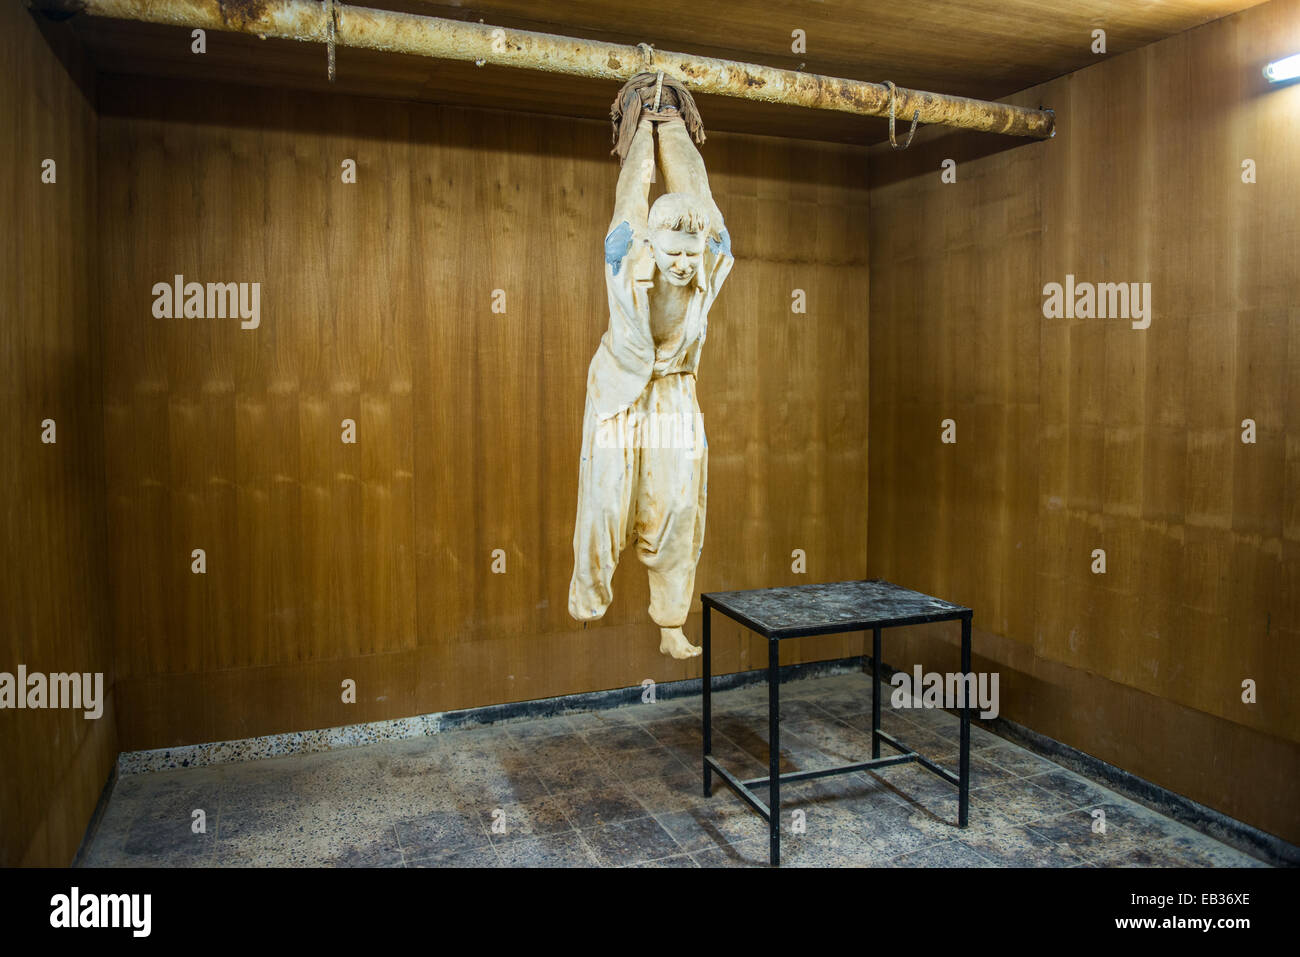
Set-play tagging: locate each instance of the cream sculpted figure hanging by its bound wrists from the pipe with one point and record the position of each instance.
(643, 478)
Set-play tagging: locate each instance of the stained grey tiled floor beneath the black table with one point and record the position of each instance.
(623, 787)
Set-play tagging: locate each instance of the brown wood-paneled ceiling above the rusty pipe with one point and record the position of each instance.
(983, 49)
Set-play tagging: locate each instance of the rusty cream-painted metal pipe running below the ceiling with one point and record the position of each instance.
(452, 40)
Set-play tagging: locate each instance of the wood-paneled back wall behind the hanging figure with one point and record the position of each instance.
(374, 561)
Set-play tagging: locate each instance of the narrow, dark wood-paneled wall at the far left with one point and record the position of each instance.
(54, 583)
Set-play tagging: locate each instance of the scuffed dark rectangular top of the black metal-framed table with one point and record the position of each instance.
(831, 608)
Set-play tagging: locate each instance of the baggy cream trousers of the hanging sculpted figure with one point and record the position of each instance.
(638, 486)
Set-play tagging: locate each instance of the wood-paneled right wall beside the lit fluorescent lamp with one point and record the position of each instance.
(1085, 434)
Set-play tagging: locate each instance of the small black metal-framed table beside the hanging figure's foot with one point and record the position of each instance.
(830, 609)
